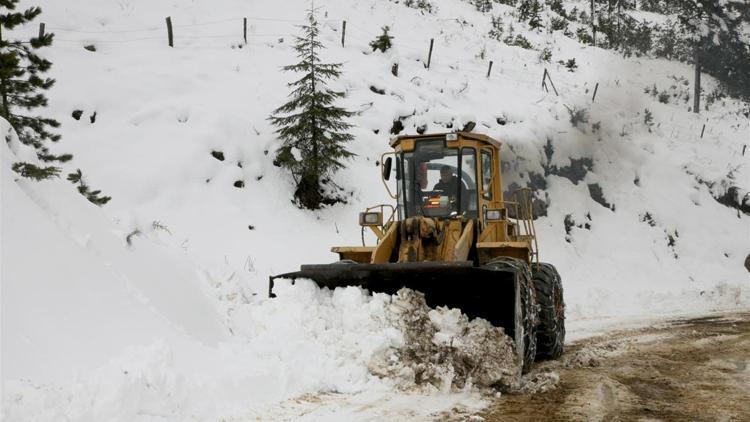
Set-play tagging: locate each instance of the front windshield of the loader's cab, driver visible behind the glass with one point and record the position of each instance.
(436, 181)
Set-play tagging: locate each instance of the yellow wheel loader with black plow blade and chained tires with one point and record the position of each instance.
(453, 237)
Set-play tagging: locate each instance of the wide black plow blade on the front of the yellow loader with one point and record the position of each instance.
(477, 292)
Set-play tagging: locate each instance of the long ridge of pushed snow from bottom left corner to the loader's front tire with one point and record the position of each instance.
(305, 341)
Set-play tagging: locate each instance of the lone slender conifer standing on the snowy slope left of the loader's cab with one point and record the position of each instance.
(311, 128)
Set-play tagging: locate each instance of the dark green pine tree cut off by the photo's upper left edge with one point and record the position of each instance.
(21, 86)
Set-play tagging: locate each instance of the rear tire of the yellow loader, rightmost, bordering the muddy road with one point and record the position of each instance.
(550, 334)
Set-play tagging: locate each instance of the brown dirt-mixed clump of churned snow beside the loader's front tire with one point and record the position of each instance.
(442, 349)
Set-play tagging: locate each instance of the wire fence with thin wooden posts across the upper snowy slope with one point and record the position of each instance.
(444, 63)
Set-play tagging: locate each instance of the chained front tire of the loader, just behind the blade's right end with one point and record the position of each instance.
(528, 319)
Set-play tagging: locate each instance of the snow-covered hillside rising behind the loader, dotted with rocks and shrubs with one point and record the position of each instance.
(154, 306)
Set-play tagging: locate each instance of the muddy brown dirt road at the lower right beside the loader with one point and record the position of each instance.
(685, 370)
